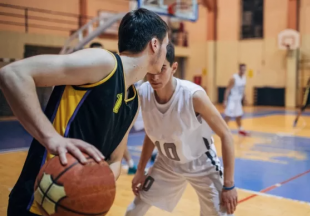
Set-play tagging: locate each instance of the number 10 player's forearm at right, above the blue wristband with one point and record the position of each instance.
(228, 159)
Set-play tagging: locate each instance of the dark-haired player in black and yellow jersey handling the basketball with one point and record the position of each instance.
(93, 104)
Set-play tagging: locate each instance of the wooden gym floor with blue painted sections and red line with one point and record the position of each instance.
(272, 166)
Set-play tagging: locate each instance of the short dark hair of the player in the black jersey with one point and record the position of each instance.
(137, 28)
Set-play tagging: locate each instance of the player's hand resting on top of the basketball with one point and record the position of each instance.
(60, 146)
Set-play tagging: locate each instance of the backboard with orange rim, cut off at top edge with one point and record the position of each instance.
(180, 9)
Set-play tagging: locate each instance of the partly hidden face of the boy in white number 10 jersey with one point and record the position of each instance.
(159, 81)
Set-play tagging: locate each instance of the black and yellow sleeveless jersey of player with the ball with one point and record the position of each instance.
(97, 113)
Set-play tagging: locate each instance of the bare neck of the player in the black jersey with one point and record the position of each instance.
(135, 67)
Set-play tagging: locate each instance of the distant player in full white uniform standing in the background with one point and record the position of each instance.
(234, 94)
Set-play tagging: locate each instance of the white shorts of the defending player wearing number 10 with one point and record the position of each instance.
(167, 181)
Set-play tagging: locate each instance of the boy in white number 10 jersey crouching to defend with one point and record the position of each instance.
(177, 115)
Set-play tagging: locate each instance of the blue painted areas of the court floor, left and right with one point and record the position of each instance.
(289, 155)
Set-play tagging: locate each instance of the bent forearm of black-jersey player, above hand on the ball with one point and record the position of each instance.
(20, 93)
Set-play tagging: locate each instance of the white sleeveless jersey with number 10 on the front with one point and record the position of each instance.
(173, 127)
